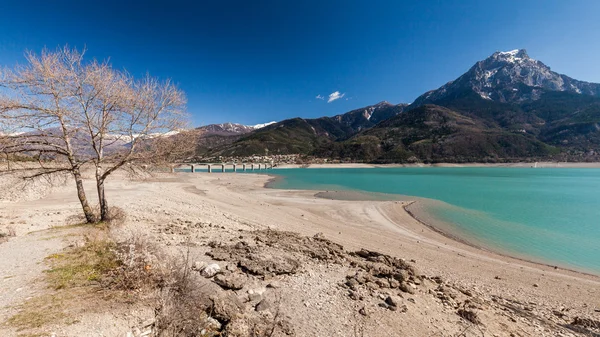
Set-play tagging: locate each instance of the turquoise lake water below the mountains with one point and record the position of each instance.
(548, 215)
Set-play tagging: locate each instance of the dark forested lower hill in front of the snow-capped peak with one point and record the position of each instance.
(432, 133)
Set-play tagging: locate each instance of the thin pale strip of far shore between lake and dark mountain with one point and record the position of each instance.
(522, 165)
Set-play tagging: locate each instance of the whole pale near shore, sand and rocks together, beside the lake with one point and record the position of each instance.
(259, 277)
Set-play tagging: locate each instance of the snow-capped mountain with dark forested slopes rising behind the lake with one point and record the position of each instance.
(508, 107)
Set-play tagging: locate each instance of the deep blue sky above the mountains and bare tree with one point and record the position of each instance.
(257, 61)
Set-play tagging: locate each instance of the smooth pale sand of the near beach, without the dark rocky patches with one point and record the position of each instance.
(315, 301)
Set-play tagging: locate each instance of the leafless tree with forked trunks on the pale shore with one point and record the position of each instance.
(67, 113)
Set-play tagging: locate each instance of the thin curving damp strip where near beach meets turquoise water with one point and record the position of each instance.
(358, 195)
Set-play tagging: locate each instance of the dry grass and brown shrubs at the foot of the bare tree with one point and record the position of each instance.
(130, 270)
